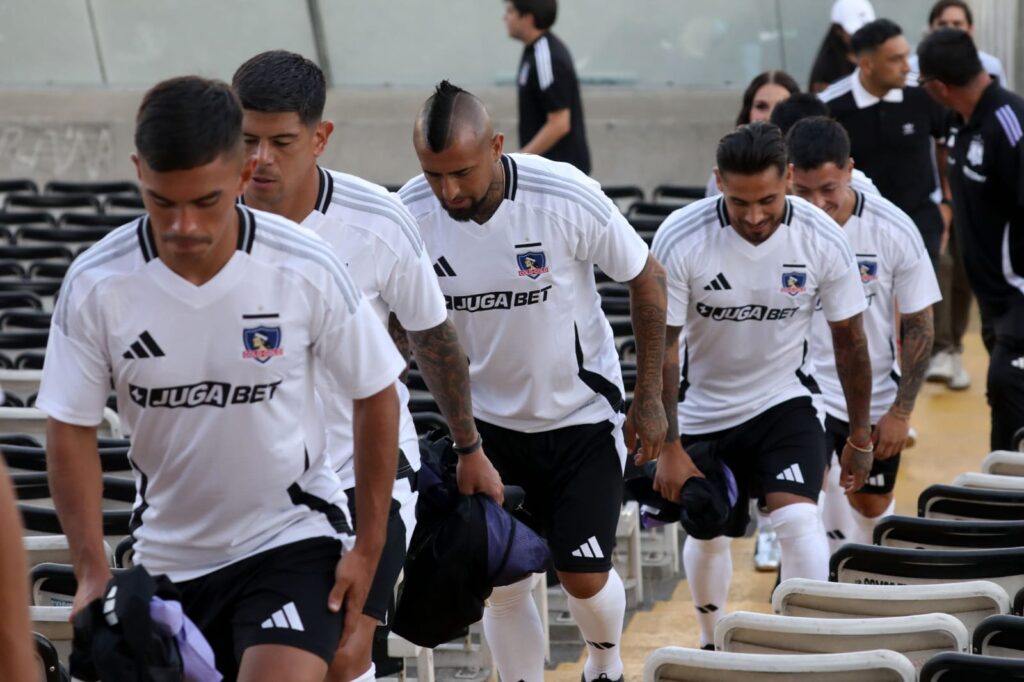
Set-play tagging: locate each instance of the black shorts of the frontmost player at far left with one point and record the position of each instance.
(275, 598)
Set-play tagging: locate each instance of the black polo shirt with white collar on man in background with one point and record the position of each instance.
(891, 140)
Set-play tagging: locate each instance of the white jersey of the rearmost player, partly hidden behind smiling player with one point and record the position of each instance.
(895, 271)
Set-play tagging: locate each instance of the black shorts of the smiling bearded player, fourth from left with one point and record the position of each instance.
(780, 451)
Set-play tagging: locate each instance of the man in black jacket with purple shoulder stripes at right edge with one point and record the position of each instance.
(987, 176)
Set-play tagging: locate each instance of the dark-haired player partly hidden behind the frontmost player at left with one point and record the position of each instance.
(283, 97)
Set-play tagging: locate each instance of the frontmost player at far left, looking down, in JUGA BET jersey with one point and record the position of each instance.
(214, 321)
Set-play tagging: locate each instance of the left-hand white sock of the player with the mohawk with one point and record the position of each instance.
(515, 632)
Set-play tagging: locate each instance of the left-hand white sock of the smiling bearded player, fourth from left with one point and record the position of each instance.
(709, 570)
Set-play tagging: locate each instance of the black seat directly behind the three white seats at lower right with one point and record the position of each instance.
(870, 565)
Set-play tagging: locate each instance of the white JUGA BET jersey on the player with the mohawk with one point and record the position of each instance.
(522, 293)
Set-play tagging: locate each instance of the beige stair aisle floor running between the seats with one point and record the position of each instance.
(953, 431)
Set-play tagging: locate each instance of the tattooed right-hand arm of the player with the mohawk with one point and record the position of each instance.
(649, 301)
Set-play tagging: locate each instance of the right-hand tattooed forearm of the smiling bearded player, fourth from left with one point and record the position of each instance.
(855, 369)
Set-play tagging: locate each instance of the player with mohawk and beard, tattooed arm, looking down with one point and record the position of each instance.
(518, 238)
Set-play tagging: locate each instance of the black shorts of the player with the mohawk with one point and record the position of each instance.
(573, 479)
